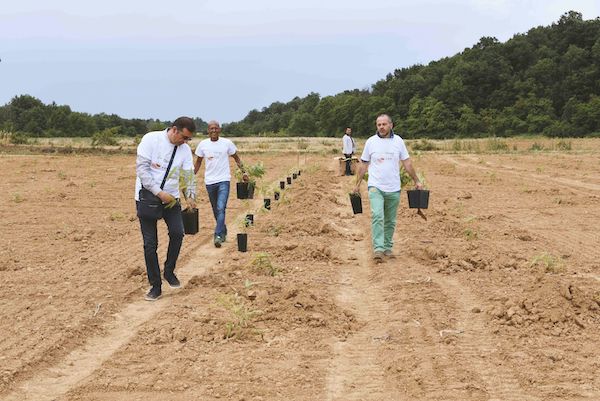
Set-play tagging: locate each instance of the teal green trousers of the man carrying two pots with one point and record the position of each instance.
(384, 207)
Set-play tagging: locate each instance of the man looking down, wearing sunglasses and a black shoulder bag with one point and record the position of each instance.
(158, 152)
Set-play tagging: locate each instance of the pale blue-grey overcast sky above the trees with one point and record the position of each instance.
(219, 59)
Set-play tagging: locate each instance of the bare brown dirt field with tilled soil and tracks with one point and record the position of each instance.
(495, 296)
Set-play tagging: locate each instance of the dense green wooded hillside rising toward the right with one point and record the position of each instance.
(546, 81)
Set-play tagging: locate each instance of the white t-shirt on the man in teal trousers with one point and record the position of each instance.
(384, 155)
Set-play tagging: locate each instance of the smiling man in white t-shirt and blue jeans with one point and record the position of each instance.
(217, 175)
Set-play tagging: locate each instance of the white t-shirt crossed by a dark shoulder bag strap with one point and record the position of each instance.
(156, 146)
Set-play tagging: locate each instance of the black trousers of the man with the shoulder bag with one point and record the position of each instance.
(172, 218)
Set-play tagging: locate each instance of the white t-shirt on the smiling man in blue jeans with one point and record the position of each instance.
(216, 155)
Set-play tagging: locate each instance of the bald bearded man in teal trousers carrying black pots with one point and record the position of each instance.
(382, 155)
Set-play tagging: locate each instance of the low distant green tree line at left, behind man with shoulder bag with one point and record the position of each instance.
(28, 115)
